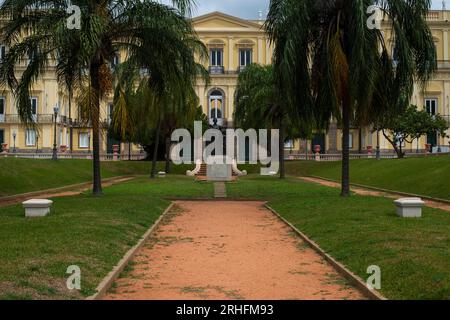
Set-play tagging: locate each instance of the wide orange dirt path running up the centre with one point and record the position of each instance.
(228, 250)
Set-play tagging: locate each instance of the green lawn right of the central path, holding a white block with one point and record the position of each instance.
(413, 254)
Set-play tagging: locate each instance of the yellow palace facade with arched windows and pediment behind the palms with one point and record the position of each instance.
(232, 43)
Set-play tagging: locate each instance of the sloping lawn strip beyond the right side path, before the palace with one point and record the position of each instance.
(427, 176)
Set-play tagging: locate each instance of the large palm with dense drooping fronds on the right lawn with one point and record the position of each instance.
(329, 63)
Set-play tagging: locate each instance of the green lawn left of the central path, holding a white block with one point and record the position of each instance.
(93, 233)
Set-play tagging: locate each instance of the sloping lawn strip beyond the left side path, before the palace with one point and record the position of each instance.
(27, 175)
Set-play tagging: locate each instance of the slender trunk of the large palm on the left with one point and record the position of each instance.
(95, 119)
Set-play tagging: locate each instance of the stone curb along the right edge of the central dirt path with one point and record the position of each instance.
(340, 268)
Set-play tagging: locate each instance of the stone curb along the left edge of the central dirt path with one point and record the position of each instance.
(107, 282)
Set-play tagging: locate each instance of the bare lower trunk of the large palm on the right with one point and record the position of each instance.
(345, 184)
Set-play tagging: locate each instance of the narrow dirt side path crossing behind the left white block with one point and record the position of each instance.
(60, 192)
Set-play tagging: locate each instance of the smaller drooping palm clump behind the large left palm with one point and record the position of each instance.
(166, 105)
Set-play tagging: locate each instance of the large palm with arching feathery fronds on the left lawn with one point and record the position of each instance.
(149, 32)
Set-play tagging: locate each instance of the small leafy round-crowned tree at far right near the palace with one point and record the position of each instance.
(410, 125)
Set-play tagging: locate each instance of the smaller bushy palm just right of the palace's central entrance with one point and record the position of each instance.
(260, 106)
